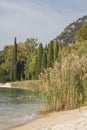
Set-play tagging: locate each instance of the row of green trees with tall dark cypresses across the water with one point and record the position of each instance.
(25, 61)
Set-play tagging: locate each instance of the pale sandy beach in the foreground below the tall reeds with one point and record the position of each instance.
(67, 120)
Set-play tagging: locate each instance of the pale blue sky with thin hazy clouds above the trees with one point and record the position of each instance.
(42, 19)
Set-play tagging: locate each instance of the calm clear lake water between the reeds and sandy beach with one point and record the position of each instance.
(17, 106)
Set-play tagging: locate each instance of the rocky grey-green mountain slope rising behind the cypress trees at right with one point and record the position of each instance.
(67, 37)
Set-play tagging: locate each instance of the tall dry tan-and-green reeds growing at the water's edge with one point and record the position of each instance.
(63, 86)
